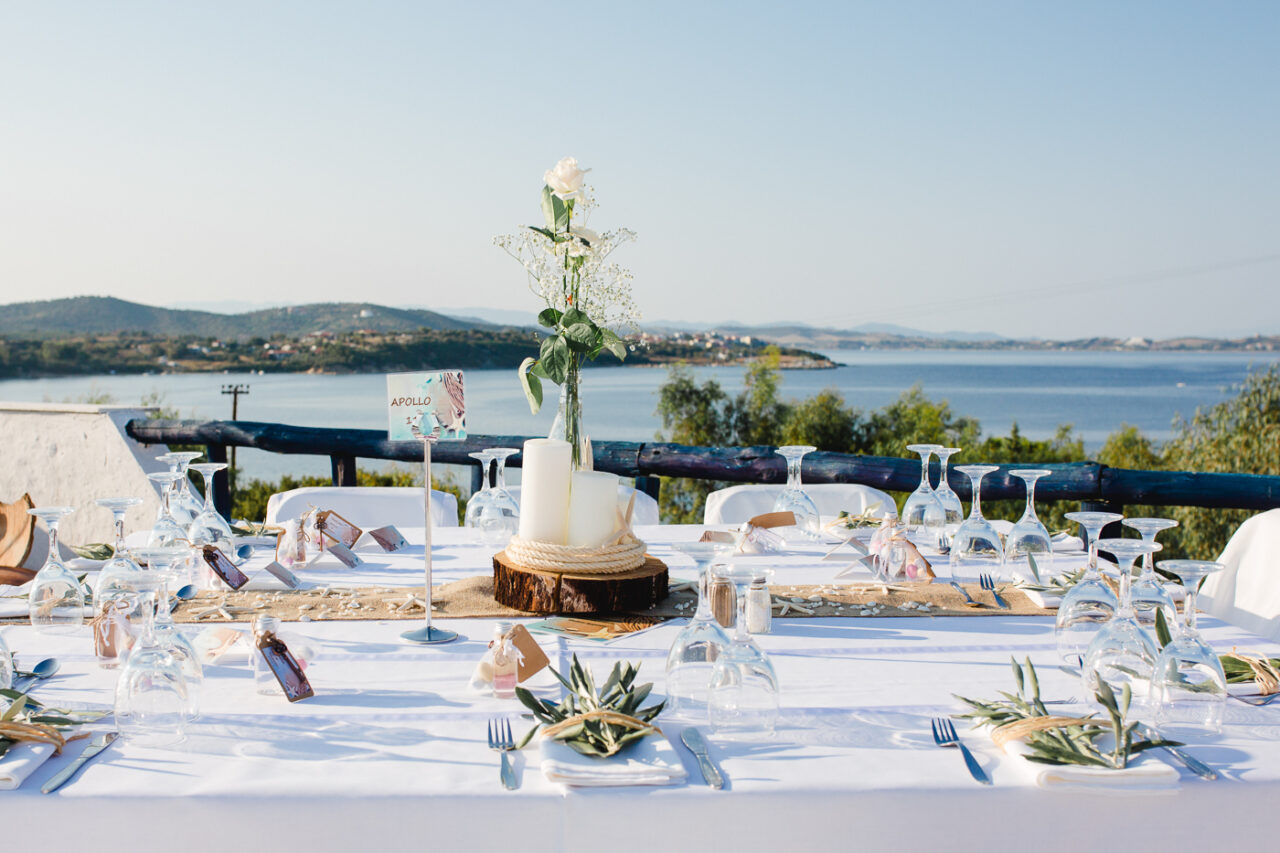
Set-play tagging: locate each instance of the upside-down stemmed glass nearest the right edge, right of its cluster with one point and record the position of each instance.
(1188, 686)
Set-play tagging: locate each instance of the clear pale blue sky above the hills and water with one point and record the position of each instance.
(1057, 170)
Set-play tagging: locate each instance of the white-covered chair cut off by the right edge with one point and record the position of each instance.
(1247, 594)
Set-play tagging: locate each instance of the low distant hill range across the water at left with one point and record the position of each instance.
(106, 316)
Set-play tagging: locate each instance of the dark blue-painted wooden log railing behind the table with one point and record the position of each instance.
(1091, 483)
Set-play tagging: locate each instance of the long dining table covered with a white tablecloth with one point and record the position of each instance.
(392, 752)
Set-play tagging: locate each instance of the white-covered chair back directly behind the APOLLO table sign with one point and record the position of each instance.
(367, 507)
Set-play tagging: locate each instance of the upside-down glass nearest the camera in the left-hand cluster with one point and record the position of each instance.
(152, 694)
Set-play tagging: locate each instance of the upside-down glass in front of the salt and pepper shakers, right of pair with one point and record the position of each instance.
(744, 690)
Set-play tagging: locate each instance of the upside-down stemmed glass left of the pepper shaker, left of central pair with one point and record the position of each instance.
(694, 653)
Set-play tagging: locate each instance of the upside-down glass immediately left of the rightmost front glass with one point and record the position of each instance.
(1122, 653)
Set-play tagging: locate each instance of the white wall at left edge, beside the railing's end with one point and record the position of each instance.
(70, 454)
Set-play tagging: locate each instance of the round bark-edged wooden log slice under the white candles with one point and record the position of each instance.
(538, 591)
